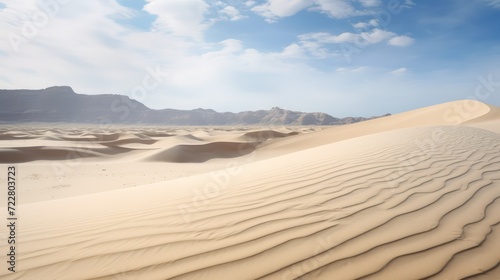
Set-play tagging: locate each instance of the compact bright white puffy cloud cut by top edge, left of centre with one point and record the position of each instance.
(185, 18)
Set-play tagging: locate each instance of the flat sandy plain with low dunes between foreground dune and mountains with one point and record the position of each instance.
(65, 161)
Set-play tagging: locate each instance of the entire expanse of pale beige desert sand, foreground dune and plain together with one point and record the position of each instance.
(411, 196)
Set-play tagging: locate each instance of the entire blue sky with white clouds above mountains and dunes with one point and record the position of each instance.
(343, 57)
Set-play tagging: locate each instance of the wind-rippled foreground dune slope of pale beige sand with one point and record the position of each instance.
(420, 203)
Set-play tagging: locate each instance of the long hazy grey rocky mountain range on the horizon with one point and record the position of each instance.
(62, 104)
